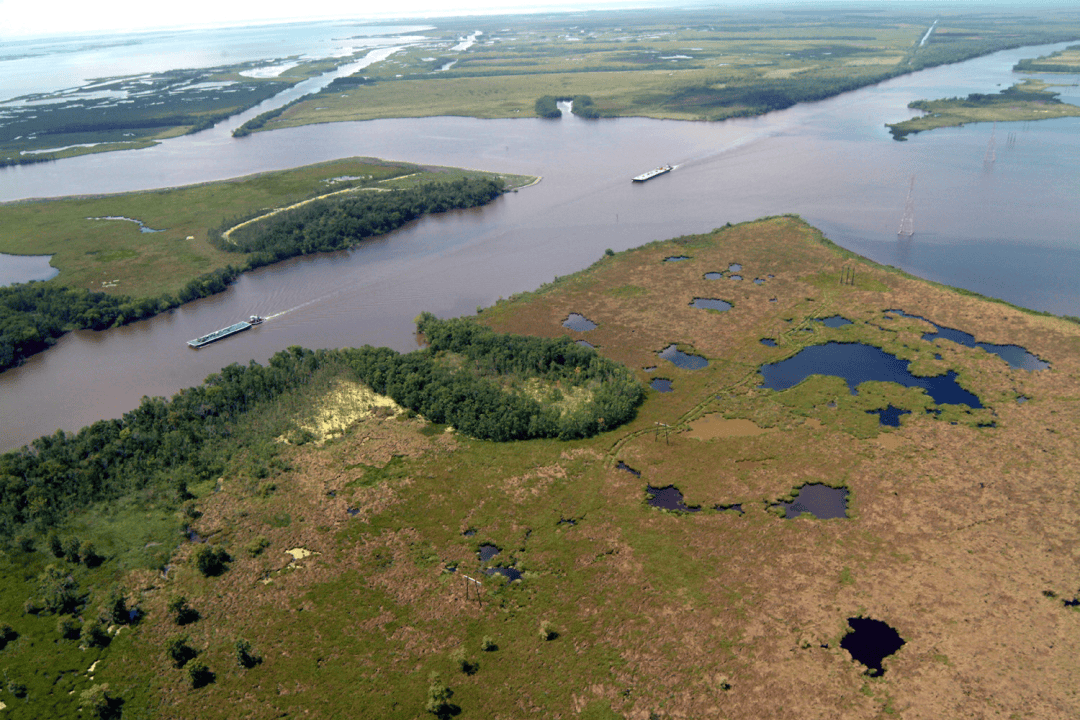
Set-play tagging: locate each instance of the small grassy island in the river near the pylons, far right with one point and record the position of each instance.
(1030, 100)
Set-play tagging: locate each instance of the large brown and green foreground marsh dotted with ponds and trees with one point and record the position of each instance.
(286, 541)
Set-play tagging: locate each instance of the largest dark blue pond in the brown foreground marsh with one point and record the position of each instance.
(858, 363)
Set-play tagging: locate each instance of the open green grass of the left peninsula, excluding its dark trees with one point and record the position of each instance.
(116, 257)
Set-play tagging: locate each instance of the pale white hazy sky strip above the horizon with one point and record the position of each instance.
(37, 18)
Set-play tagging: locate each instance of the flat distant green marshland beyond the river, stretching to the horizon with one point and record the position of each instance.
(700, 65)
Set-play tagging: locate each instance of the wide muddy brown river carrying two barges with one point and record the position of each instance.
(1007, 228)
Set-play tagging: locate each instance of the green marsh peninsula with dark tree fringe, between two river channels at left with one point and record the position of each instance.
(113, 274)
